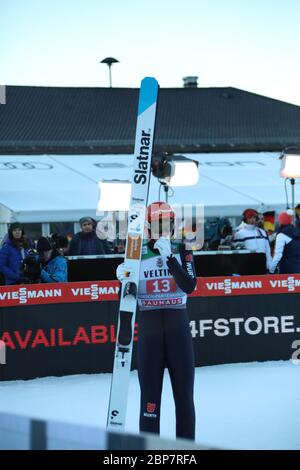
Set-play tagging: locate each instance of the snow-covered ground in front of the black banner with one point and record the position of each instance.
(238, 406)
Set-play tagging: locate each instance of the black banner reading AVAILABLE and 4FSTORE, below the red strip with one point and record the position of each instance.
(79, 337)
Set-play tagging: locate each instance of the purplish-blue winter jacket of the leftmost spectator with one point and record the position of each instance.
(11, 262)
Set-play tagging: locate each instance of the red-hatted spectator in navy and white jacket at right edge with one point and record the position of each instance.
(287, 246)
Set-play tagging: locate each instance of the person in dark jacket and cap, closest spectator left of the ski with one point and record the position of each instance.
(86, 242)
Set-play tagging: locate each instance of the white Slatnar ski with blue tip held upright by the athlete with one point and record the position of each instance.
(136, 217)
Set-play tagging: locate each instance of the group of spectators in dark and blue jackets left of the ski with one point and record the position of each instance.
(25, 262)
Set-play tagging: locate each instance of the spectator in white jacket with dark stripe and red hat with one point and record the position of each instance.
(252, 237)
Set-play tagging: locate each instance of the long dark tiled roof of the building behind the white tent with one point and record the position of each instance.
(103, 120)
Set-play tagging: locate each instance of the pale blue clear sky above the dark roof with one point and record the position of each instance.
(248, 44)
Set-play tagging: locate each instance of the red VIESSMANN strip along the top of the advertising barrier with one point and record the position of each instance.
(97, 291)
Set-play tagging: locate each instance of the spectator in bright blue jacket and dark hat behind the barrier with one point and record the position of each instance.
(53, 265)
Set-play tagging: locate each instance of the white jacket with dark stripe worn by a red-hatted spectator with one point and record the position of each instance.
(254, 239)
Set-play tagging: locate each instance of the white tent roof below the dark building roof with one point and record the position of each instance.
(48, 188)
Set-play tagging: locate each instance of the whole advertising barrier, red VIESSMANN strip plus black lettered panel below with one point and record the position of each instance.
(60, 329)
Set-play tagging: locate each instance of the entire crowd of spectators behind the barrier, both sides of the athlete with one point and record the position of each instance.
(23, 261)
